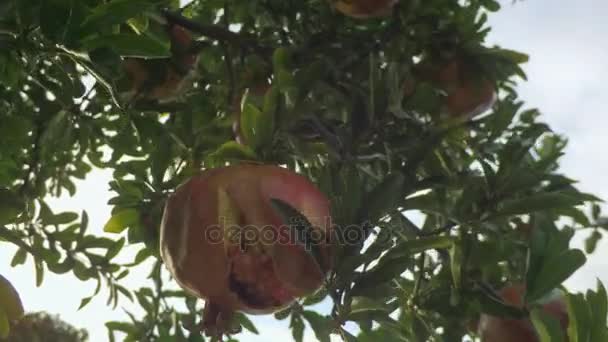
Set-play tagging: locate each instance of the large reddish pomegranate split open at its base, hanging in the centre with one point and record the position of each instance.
(222, 240)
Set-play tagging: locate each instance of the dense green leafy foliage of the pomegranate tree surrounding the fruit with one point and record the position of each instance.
(450, 209)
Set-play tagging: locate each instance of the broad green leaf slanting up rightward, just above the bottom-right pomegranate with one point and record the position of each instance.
(554, 272)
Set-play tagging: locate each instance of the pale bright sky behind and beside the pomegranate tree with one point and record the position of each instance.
(567, 75)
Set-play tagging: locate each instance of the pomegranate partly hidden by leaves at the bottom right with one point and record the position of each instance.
(496, 329)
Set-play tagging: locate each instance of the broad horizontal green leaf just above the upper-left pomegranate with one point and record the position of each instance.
(130, 45)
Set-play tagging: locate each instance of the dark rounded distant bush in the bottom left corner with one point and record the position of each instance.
(40, 326)
